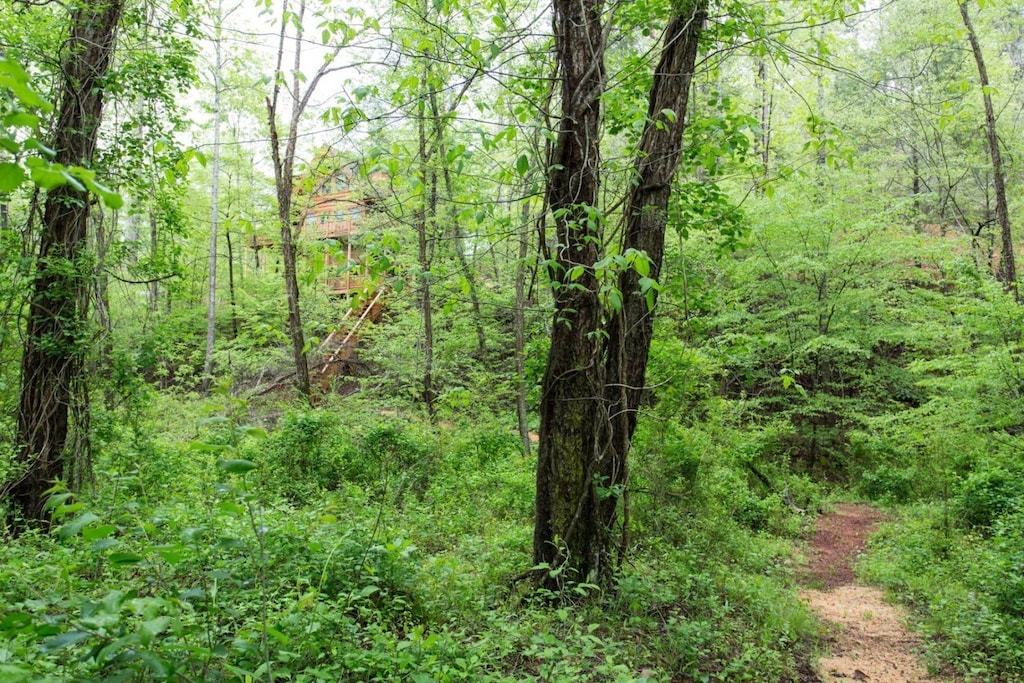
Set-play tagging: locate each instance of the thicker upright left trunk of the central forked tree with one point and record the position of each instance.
(568, 533)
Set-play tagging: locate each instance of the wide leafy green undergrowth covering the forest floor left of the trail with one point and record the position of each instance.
(339, 544)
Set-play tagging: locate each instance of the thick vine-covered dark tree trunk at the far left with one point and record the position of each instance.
(56, 340)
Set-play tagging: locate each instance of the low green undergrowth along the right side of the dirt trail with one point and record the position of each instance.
(964, 582)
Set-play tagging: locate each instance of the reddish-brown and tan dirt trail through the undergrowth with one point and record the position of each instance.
(867, 635)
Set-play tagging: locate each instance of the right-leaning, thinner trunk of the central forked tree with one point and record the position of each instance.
(631, 331)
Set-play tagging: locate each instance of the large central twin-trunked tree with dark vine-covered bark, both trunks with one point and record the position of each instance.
(595, 375)
